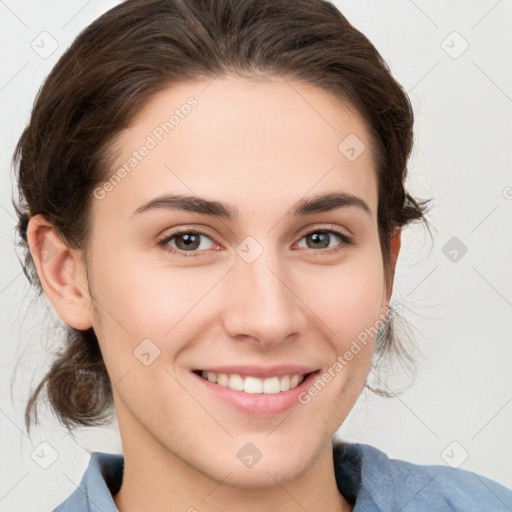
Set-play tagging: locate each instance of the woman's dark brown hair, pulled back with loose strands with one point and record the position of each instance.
(141, 47)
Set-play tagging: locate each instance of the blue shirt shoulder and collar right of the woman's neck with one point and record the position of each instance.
(392, 484)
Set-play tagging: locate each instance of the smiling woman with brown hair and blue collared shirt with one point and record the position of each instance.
(212, 194)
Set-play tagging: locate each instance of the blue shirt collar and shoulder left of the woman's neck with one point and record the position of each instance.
(101, 480)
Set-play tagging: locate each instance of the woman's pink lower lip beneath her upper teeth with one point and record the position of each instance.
(259, 404)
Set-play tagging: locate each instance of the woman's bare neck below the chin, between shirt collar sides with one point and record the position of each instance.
(157, 480)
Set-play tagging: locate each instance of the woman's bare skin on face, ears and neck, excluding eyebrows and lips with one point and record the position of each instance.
(259, 144)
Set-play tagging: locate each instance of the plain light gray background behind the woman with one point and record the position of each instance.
(460, 409)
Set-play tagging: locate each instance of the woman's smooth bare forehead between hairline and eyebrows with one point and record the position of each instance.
(254, 142)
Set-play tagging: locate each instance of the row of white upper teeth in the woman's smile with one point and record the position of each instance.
(253, 385)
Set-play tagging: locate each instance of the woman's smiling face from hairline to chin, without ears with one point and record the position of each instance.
(254, 289)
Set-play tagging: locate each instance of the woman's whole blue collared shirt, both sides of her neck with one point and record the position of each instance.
(364, 475)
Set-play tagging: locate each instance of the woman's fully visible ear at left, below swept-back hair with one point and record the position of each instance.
(61, 272)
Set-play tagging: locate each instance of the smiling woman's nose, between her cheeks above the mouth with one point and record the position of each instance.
(263, 304)
